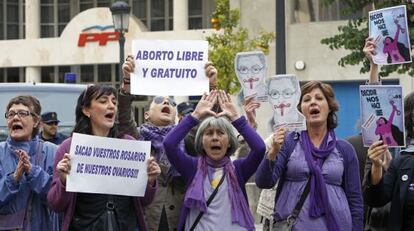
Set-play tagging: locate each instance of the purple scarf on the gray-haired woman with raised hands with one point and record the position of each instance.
(194, 197)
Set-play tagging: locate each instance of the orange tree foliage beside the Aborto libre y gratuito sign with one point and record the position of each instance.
(231, 39)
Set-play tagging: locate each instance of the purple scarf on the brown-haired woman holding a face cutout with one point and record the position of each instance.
(319, 204)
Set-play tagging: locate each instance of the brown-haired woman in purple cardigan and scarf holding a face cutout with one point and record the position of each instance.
(319, 185)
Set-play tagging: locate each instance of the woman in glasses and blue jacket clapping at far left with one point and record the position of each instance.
(26, 166)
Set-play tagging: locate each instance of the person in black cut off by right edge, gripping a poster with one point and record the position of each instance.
(396, 184)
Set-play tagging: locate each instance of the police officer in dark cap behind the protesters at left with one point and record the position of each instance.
(49, 125)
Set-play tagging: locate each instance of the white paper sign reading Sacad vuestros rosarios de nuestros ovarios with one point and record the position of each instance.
(107, 165)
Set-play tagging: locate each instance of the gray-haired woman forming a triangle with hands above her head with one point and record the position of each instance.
(213, 177)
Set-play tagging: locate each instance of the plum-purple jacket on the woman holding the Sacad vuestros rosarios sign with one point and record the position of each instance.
(61, 201)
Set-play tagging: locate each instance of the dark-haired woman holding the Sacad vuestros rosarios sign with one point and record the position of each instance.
(96, 111)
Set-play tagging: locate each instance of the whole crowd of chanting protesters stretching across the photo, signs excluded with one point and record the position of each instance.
(193, 184)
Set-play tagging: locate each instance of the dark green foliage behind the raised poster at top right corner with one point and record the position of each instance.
(352, 36)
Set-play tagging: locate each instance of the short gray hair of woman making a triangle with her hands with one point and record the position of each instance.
(221, 123)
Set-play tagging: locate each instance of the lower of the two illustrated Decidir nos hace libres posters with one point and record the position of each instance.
(382, 116)
